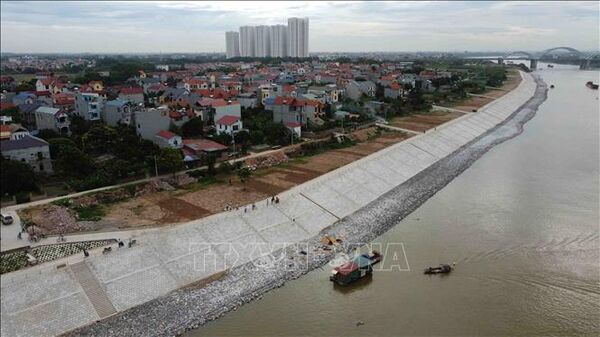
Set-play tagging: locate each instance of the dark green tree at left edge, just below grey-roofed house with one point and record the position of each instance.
(16, 177)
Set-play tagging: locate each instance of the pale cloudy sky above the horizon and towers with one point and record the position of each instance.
(340, 26)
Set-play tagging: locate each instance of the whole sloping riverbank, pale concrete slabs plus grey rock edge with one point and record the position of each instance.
(47, 301)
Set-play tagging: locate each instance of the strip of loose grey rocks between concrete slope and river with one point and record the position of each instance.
(188, 308)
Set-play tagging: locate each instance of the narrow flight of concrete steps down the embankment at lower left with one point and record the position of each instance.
(93, 290)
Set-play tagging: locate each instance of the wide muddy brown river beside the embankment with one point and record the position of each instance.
(521, 223)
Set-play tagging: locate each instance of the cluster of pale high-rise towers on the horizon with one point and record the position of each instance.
(269, 41)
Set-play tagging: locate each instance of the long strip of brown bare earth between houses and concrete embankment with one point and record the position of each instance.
(162, 204)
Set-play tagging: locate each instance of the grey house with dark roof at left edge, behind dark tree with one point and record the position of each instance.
(30, 150)
